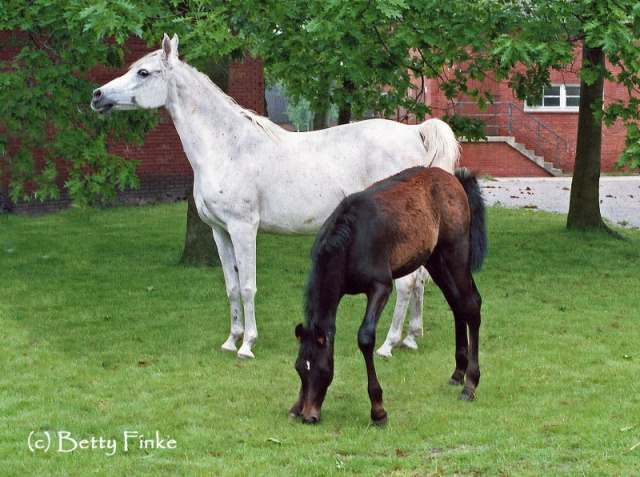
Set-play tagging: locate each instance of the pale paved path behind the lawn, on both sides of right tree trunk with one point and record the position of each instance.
(619, 196)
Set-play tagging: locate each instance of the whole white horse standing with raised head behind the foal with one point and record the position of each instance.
(250, 174)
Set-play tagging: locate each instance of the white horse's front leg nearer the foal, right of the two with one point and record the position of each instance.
(243, 237)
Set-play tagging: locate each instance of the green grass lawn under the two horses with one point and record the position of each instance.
(102, 333)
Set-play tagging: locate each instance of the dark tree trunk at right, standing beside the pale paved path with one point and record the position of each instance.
(584, 205)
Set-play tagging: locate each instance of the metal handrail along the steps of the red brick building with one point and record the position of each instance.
(518, 123)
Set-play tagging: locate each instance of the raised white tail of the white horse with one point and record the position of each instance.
(443, 149)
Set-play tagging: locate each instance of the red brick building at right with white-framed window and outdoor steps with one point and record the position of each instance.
(532, 140)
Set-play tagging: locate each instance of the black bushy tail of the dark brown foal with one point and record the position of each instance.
(478, 230)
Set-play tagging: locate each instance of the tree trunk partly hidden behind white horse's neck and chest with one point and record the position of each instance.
(199, 247)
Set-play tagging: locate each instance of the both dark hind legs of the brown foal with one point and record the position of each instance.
(454, 279)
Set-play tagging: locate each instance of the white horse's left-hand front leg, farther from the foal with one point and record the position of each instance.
(232, 283)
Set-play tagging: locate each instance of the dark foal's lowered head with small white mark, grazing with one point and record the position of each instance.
(315, 368)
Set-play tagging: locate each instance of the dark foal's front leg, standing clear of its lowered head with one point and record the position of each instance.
(376, 300)
